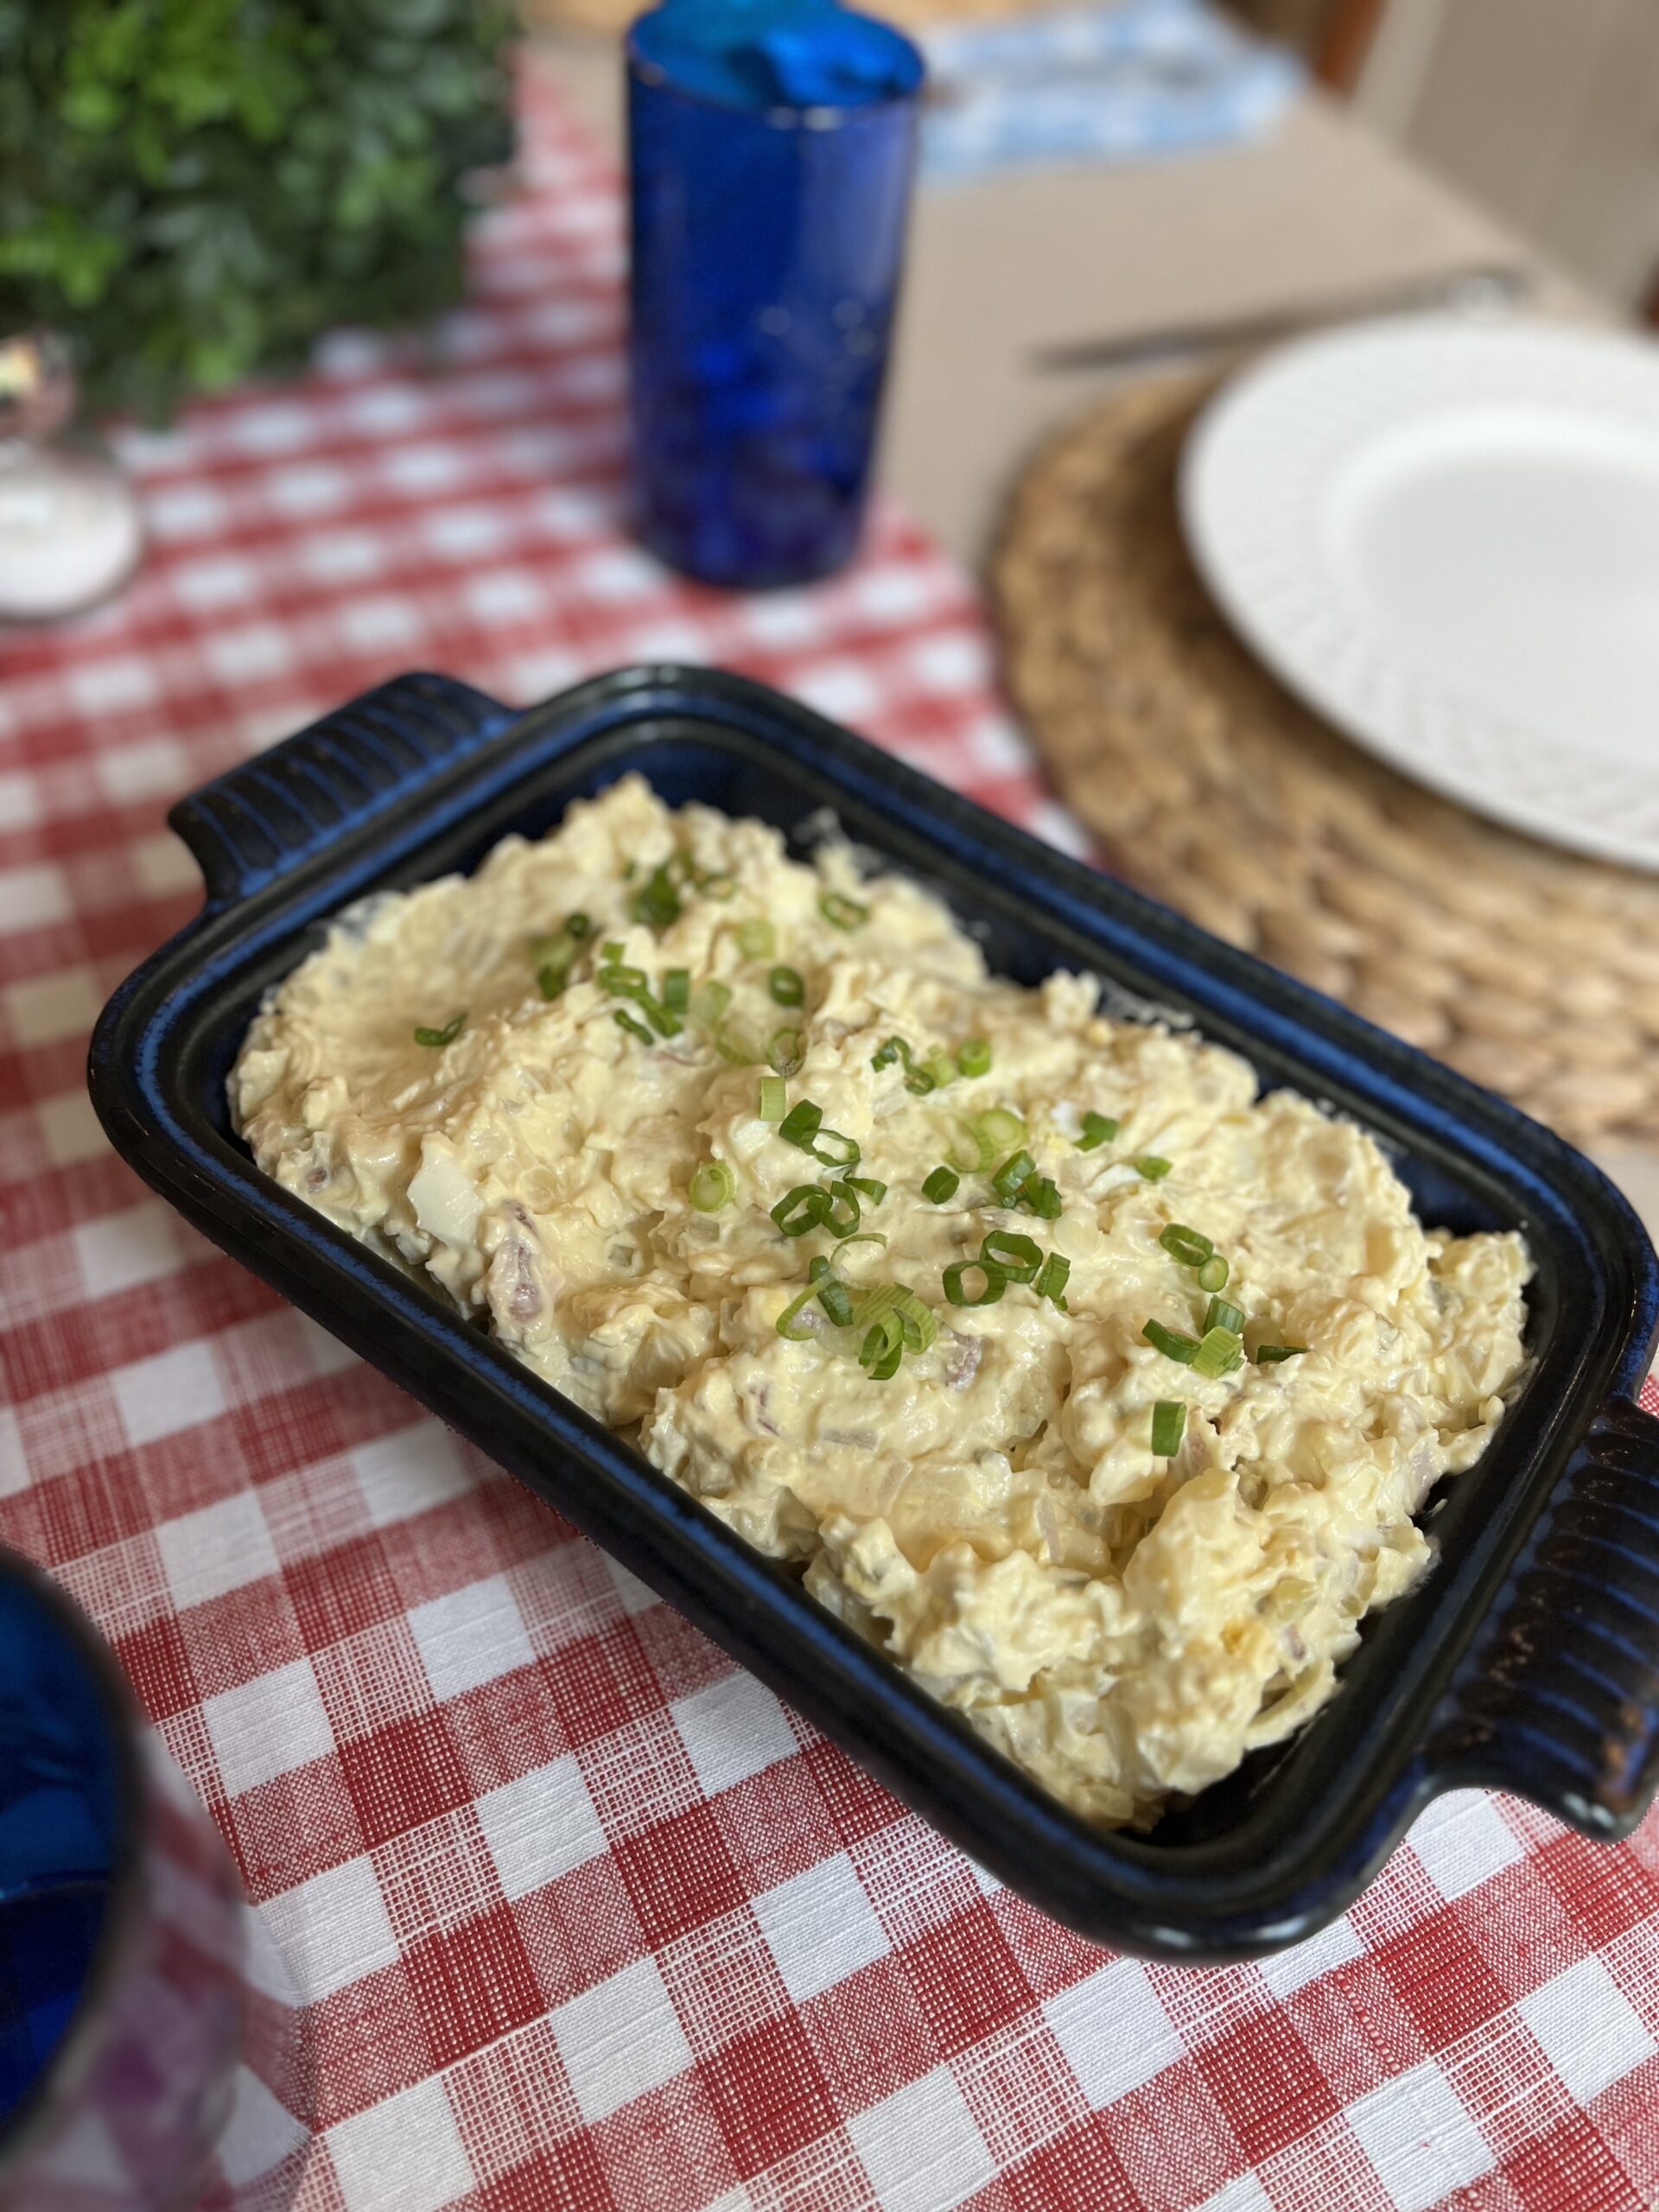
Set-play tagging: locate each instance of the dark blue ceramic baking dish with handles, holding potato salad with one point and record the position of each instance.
(1527, 1660)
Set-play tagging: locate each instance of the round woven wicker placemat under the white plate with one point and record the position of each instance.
(1211, 786)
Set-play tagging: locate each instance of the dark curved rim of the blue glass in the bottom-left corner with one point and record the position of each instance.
(123, 1910)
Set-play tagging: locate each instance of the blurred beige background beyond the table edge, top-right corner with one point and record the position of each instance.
(1547, 112)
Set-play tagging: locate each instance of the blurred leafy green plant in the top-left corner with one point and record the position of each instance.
(194, 189)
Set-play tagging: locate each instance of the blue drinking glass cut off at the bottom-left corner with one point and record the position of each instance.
(121, 1932)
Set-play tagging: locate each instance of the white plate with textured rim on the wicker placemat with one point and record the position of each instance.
(1446, 536)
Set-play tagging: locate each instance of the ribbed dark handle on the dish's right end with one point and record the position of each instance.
(1558, 1698)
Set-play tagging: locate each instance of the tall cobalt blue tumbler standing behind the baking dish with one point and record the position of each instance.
(771, 149)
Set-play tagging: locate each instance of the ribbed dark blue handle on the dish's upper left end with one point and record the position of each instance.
(348, 769)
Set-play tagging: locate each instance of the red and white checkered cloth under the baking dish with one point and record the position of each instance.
(574, 1914)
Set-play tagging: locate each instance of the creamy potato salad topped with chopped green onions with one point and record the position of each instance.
(1089, 1386)
